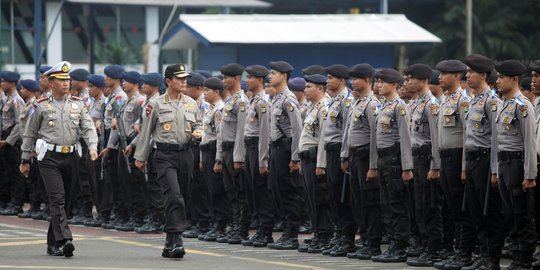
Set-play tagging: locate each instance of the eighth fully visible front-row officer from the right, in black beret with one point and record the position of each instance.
(313, 161)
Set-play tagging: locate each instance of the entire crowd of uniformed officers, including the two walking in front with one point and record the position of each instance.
(438, 164)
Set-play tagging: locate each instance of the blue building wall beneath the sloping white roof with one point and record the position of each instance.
(300, 56)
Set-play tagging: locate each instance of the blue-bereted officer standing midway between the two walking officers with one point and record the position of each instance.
(113, 80)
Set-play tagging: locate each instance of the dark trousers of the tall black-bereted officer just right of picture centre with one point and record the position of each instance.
(285, 185)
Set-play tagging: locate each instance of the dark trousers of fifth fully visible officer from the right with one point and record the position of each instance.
(394, 195)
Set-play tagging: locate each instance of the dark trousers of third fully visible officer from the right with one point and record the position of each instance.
(453, 188)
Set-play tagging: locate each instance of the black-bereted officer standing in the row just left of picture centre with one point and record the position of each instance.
(257, 140)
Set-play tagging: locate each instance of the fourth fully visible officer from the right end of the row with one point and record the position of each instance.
(427, 189)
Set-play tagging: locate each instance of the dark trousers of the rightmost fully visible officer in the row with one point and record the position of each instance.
(517, 202)
